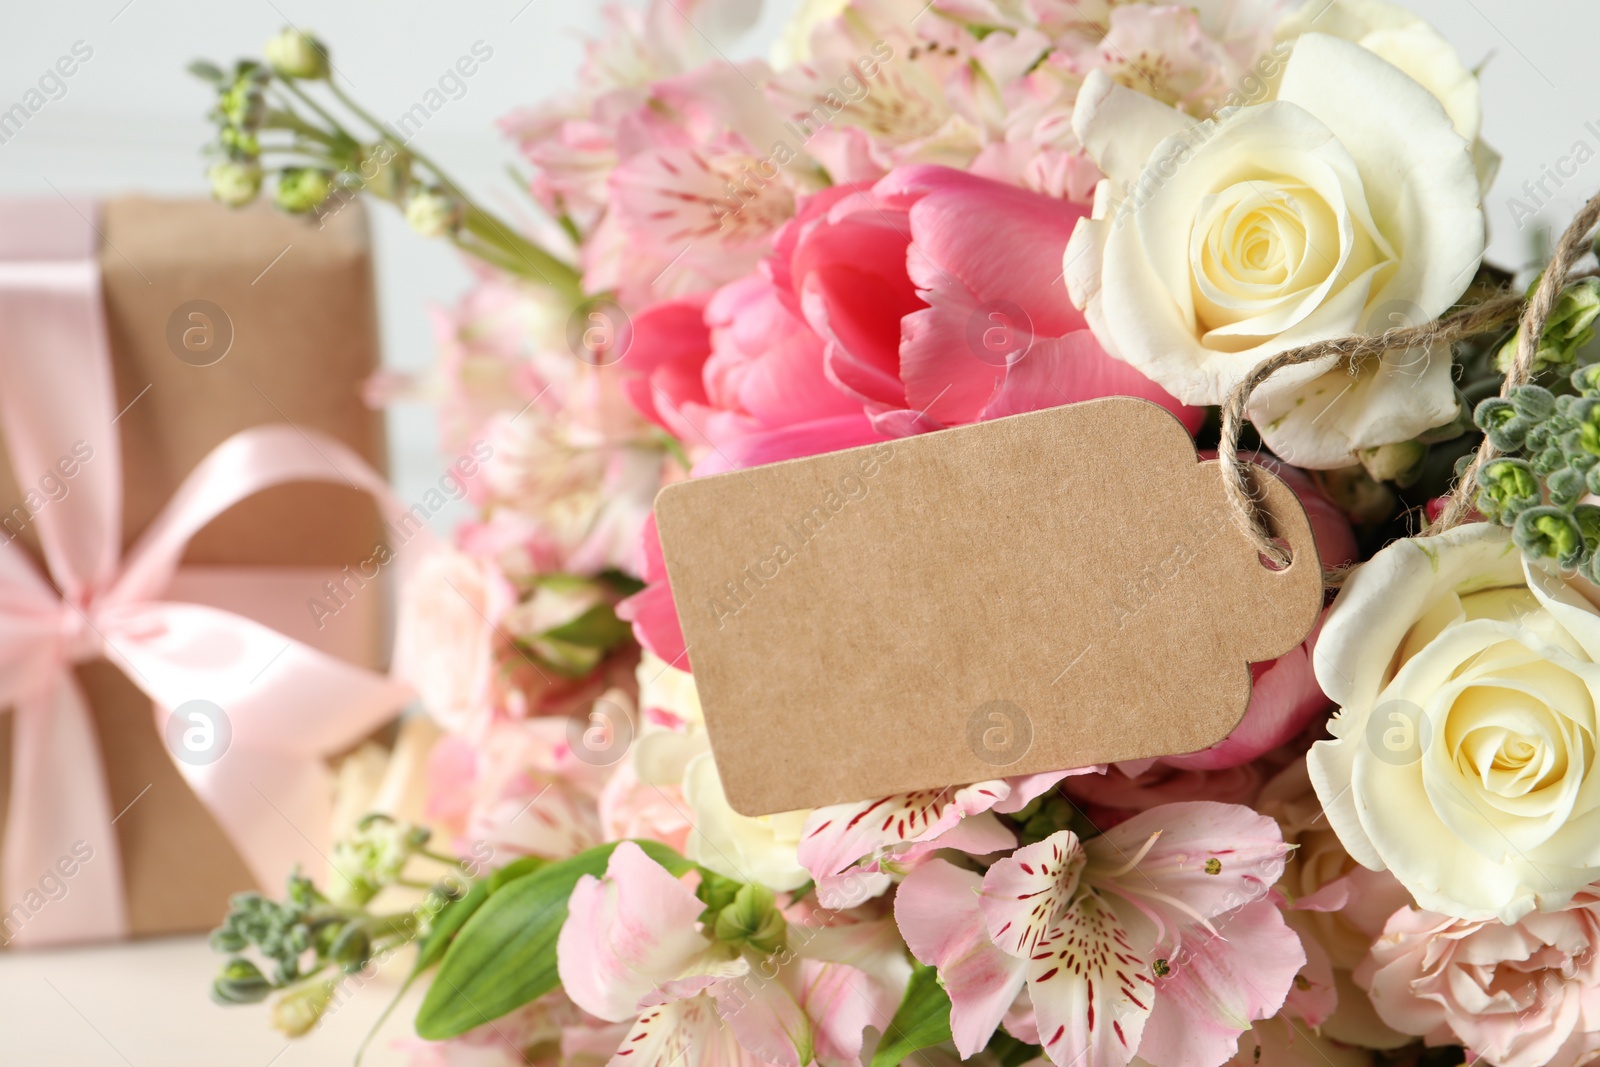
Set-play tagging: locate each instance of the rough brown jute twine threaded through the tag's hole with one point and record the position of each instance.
(1351, 353)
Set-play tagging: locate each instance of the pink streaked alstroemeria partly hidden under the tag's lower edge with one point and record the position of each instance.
(852, 850)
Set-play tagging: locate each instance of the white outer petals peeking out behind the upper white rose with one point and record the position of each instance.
(1410, 44)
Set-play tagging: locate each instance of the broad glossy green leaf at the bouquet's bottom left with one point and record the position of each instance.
(505, 956)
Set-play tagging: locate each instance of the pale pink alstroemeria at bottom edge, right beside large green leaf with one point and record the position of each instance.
(633, 951)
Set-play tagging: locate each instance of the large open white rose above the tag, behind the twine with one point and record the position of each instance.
(1348, 206)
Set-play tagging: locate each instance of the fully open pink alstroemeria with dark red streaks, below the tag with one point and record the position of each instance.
(1158, 938)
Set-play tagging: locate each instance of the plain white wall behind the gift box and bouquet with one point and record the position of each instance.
(134, 119)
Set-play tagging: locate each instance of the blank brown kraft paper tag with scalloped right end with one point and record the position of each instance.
(1047, 591)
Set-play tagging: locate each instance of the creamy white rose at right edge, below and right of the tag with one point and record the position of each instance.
(1465, 745)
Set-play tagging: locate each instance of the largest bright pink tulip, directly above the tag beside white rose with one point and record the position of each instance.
(940, 295)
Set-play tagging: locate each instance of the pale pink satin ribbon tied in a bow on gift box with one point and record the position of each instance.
(289, 705)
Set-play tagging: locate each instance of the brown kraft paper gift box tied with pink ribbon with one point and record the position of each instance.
(287, 313)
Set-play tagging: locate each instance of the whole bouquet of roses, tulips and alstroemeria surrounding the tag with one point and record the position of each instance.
(1265, 217)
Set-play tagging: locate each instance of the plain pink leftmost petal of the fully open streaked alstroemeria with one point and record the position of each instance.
(937, 909)
